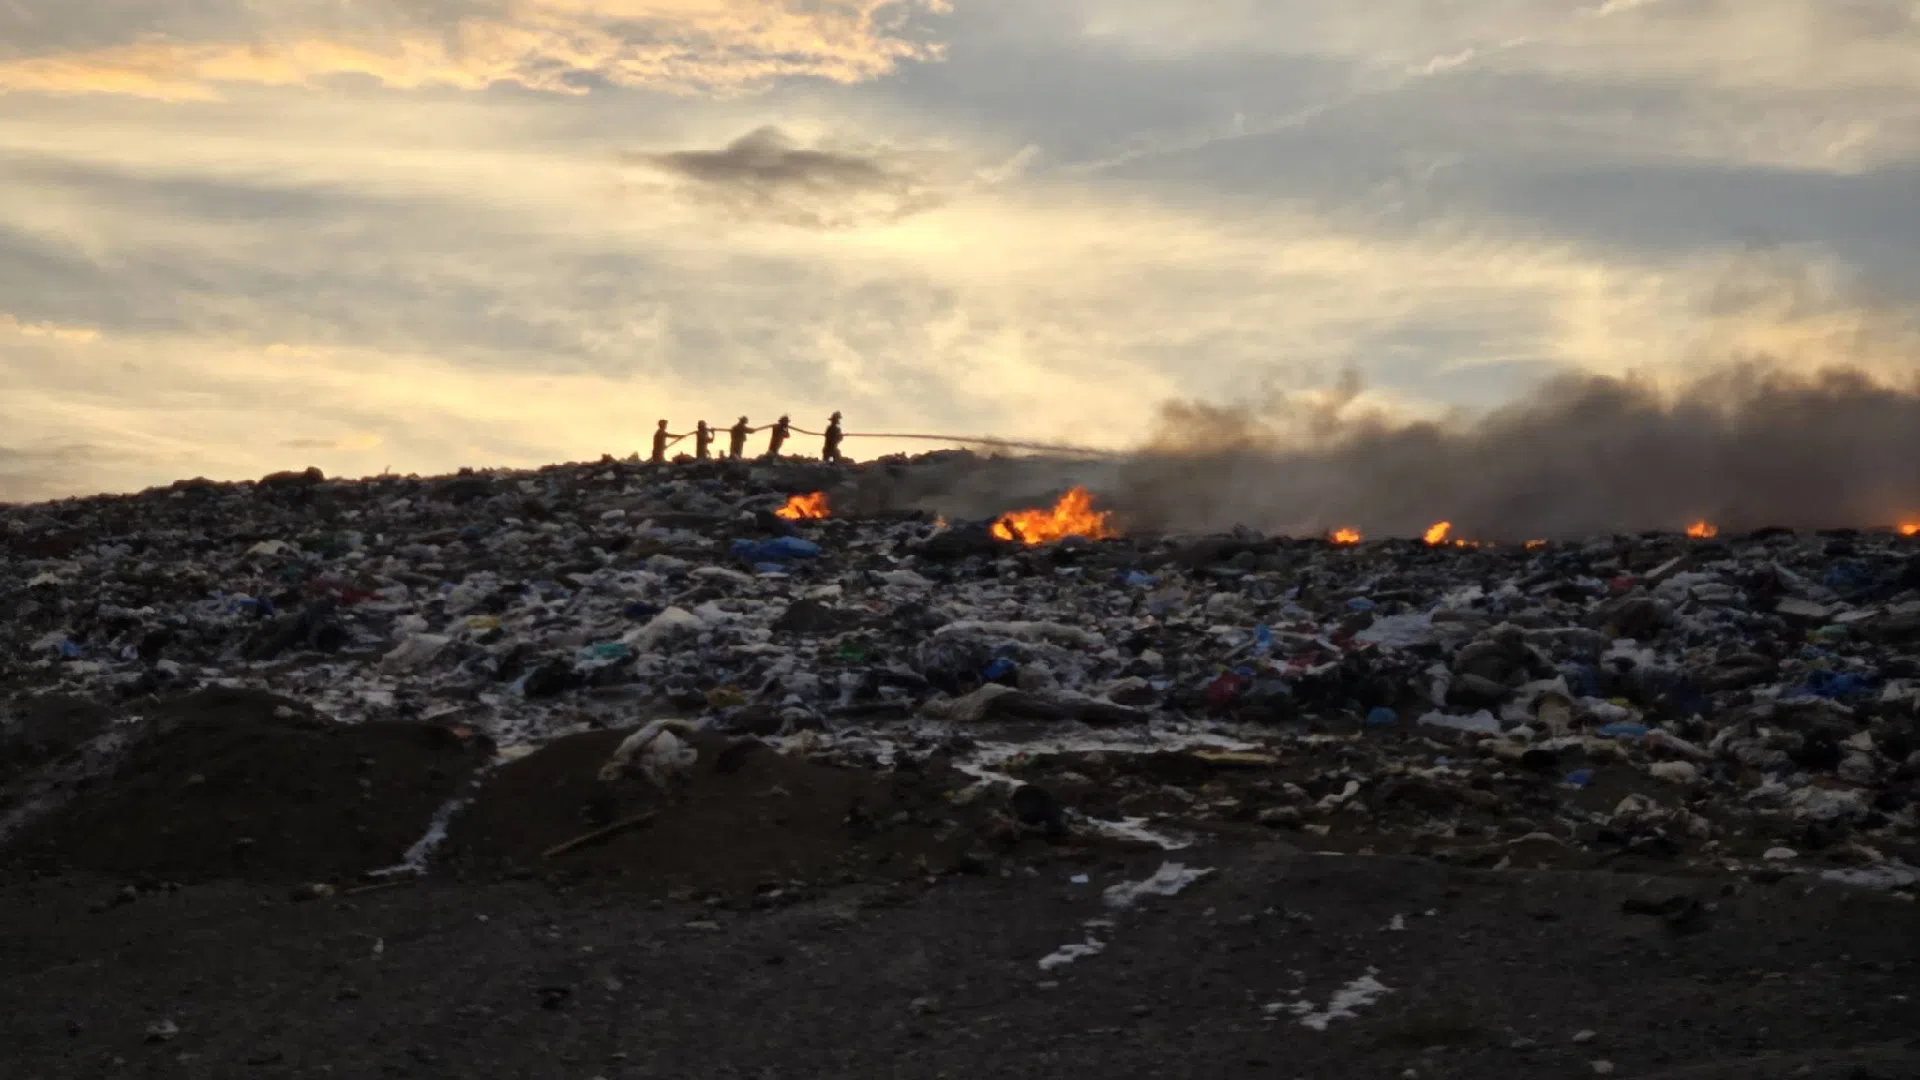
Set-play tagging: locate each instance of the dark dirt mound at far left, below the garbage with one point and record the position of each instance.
(245, 785)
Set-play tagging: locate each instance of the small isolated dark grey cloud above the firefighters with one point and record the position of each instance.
(769, 176)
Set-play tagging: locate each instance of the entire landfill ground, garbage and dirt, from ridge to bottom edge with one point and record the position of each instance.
(312, 775)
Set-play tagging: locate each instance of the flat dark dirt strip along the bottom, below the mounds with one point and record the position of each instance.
(1485, 975)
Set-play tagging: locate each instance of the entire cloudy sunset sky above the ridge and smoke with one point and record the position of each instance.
(416, 235)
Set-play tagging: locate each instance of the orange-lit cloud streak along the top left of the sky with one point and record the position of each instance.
(717, 47)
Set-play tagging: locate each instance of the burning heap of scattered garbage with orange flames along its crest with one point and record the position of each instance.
(1739, 702)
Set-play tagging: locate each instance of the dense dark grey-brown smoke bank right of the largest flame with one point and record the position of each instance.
(1740, 447)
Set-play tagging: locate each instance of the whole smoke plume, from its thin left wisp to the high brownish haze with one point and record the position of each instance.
(1800, 406)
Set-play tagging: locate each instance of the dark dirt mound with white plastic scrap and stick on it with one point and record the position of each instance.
(748, 820)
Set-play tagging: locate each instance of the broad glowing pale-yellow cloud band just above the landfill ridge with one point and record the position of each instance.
(1045, 310)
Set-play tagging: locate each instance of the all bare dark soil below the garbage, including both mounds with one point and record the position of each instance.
(780, 918)
